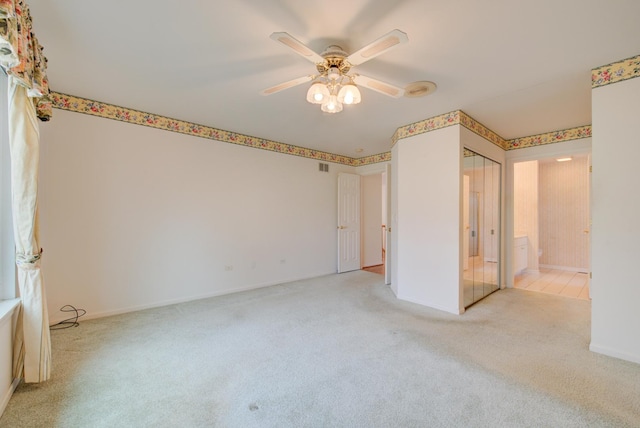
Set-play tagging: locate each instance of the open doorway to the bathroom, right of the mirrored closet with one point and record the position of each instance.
(552, 225)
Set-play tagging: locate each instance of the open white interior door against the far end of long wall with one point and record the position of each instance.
(348, 222)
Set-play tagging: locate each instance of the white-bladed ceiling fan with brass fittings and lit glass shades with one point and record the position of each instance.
(334, 86)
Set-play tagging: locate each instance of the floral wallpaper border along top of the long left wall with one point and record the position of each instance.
(109, 111)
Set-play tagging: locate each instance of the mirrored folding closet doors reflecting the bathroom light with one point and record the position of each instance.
(481, 226)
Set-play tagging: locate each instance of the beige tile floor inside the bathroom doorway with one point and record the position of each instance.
(554, 281)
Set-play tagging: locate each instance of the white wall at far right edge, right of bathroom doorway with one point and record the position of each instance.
(615, 211)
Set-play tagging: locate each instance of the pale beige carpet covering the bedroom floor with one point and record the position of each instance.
(336, 351)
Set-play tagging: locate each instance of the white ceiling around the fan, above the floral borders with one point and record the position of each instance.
(518, 67)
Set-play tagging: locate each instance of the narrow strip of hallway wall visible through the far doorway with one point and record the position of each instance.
(371, 211)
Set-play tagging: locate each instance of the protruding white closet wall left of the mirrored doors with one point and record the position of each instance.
(426, 219)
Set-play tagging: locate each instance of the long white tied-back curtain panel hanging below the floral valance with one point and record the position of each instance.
(32, 351)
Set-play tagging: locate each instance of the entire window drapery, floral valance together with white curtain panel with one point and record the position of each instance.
(21, 56)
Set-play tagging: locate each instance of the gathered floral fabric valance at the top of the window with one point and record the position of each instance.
(21, 54)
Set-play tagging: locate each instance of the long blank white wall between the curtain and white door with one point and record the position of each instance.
(134, 217)
